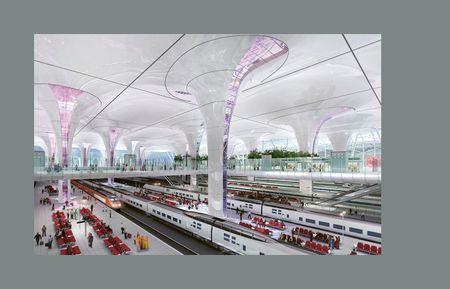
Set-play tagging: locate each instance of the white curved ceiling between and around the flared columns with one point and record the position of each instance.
(125, 75)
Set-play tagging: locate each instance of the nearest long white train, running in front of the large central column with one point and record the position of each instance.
(229, 236)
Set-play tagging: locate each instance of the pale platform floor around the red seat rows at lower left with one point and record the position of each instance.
(42, 215)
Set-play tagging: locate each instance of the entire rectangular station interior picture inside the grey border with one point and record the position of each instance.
(204, 144)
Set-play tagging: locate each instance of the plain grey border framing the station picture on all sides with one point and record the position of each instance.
(415, 138)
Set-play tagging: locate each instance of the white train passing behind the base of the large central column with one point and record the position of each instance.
(355, 228)
